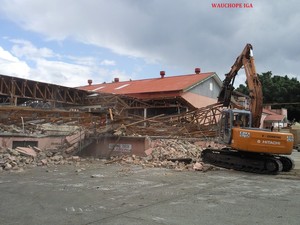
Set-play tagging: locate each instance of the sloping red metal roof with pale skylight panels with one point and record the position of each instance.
(154, 85)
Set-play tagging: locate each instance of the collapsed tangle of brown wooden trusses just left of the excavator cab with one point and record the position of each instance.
(201, 122)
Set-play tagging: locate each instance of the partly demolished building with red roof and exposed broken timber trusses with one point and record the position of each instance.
(164, 106)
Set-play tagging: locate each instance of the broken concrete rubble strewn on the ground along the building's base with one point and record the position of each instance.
(180, 155)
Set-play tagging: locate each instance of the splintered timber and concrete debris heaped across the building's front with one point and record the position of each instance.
(75, 127)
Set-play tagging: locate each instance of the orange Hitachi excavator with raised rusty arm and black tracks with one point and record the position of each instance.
(248, 148)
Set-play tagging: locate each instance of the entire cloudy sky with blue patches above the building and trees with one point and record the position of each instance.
(67, 42)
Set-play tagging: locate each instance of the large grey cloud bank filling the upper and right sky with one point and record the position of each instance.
(181, 34)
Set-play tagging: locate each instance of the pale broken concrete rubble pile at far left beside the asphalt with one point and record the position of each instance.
(28, 157)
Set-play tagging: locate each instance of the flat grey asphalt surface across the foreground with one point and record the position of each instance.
(113, 194)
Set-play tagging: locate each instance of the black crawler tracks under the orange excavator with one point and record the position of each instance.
(248, 162)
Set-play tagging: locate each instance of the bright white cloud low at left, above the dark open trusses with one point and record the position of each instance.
(55, 72)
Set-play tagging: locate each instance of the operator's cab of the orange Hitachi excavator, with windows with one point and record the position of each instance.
(231, 118)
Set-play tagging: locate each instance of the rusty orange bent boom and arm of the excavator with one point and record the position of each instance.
(246, 60)
